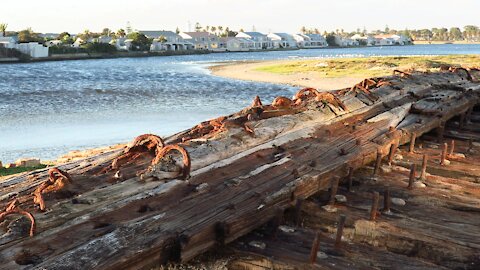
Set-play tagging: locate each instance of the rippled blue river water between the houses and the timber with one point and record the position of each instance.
(50, 108)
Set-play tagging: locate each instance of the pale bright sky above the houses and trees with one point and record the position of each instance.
(55, 16)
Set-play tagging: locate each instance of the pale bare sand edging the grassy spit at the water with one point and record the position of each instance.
(247, 72)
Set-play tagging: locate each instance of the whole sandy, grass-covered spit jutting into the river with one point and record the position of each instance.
(329, 73)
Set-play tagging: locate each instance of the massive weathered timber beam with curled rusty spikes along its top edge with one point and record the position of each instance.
(239, 172)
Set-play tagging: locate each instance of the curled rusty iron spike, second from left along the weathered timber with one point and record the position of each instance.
(57, 179)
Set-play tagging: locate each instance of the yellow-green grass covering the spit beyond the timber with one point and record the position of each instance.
(369, 66)
